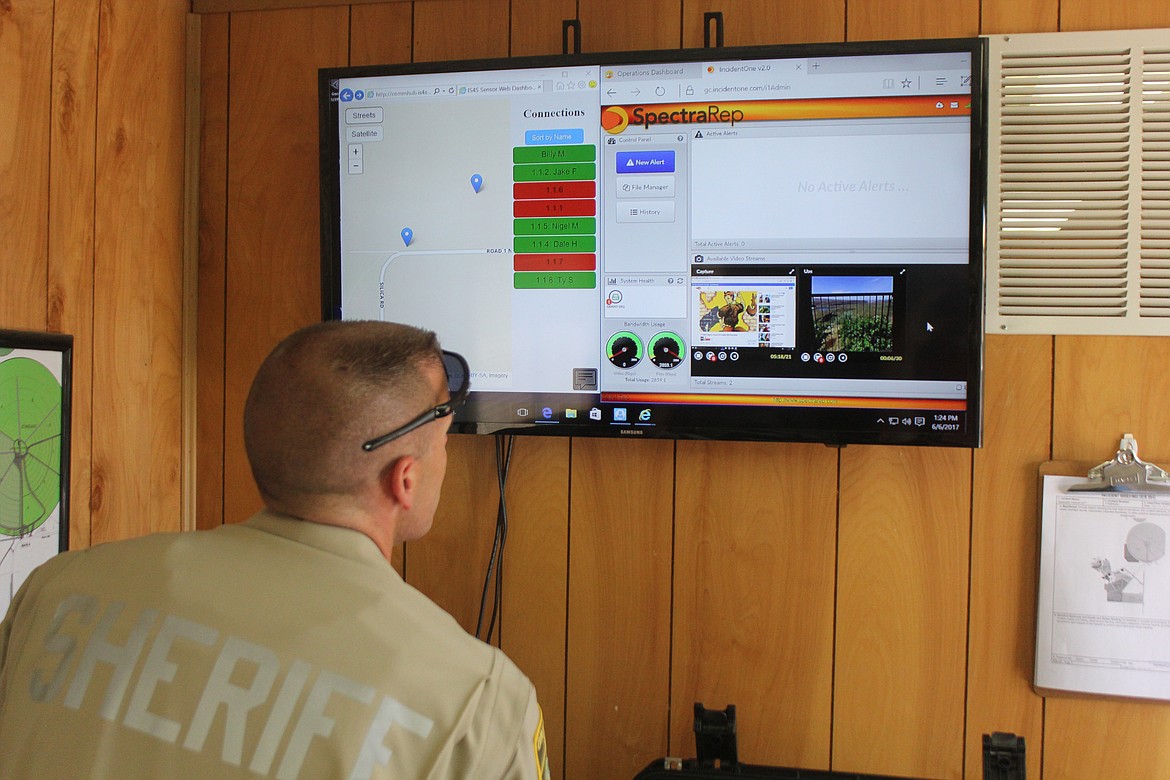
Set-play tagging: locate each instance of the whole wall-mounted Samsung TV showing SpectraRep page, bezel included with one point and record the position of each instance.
(747, 244)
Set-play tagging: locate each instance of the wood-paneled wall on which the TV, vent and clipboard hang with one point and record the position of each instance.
(866, 610)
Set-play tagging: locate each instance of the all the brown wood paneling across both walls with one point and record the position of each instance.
(868, 609)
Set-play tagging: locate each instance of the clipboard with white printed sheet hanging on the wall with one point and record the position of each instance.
(1104, 597)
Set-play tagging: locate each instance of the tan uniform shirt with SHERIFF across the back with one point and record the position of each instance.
(276, 648)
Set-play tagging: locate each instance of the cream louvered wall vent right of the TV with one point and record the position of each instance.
(1079, 183)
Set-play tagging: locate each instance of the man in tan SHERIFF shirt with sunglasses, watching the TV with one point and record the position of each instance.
(286, 646)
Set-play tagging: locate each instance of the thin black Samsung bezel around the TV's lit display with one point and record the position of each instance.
(731, 427)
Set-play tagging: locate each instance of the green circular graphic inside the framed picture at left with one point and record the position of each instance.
(30, 446)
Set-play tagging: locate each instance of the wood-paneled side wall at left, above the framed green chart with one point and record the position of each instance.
(92, 205)
